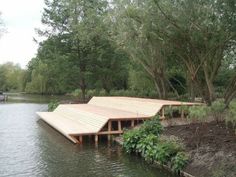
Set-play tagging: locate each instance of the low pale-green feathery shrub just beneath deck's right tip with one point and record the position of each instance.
(198, 113)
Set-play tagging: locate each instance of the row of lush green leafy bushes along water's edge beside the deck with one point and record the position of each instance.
(147, 142)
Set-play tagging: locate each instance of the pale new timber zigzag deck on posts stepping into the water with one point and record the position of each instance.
(104, 116)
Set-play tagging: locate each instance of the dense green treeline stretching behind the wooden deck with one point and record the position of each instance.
(170, 48)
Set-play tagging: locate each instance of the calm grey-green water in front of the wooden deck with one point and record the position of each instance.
(29, 147)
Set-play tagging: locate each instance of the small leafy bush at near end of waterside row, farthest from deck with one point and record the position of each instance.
(179, 161)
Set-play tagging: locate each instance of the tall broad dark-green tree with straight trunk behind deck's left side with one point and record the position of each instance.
(74, 56)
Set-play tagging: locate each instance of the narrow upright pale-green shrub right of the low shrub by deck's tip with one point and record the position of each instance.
(217, 109)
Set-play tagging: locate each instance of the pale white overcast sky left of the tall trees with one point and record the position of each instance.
(20, 18)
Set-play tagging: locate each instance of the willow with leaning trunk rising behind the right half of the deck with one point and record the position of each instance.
(137, 26)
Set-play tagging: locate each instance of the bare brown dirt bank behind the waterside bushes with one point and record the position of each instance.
(212, 148)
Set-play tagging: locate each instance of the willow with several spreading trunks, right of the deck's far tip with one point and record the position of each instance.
(199, 34)
